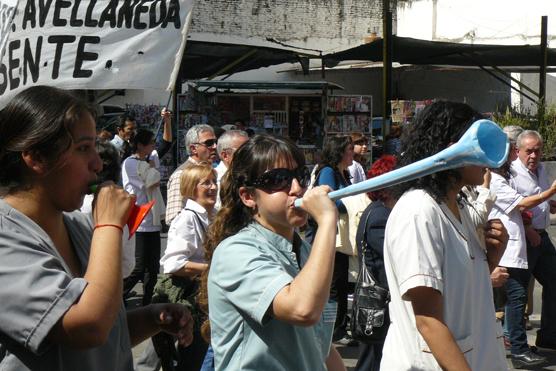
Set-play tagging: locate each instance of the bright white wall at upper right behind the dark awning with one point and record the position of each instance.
(508, 22)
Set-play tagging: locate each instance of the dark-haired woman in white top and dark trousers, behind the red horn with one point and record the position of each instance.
(140, 178)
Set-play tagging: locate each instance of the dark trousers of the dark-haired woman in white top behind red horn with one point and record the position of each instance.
(147, 264)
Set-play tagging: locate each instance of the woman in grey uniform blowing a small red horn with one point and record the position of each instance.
(60, 277)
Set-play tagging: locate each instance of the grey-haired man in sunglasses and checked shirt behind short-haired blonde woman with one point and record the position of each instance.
(200, 142)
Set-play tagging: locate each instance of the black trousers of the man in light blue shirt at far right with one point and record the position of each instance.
(542, 265)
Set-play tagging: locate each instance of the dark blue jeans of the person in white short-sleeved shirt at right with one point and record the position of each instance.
(514, 322)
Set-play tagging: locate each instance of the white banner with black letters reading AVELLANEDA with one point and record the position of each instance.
(94, 44)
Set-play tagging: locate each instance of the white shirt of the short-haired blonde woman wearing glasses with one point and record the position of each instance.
(185, 238)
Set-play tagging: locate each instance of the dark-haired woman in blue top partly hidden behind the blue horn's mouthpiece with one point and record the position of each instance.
(336, 157)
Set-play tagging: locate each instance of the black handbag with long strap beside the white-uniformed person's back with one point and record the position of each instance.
(369, 314)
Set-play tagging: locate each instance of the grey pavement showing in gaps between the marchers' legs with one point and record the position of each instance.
(350, 354)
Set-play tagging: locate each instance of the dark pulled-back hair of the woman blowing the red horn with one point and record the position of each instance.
(38, 120)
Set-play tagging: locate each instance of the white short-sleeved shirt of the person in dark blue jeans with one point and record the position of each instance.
(505, 208)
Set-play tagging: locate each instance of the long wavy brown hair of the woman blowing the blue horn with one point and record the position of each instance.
(252, 159)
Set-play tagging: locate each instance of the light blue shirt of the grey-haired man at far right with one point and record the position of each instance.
(527, 183)
